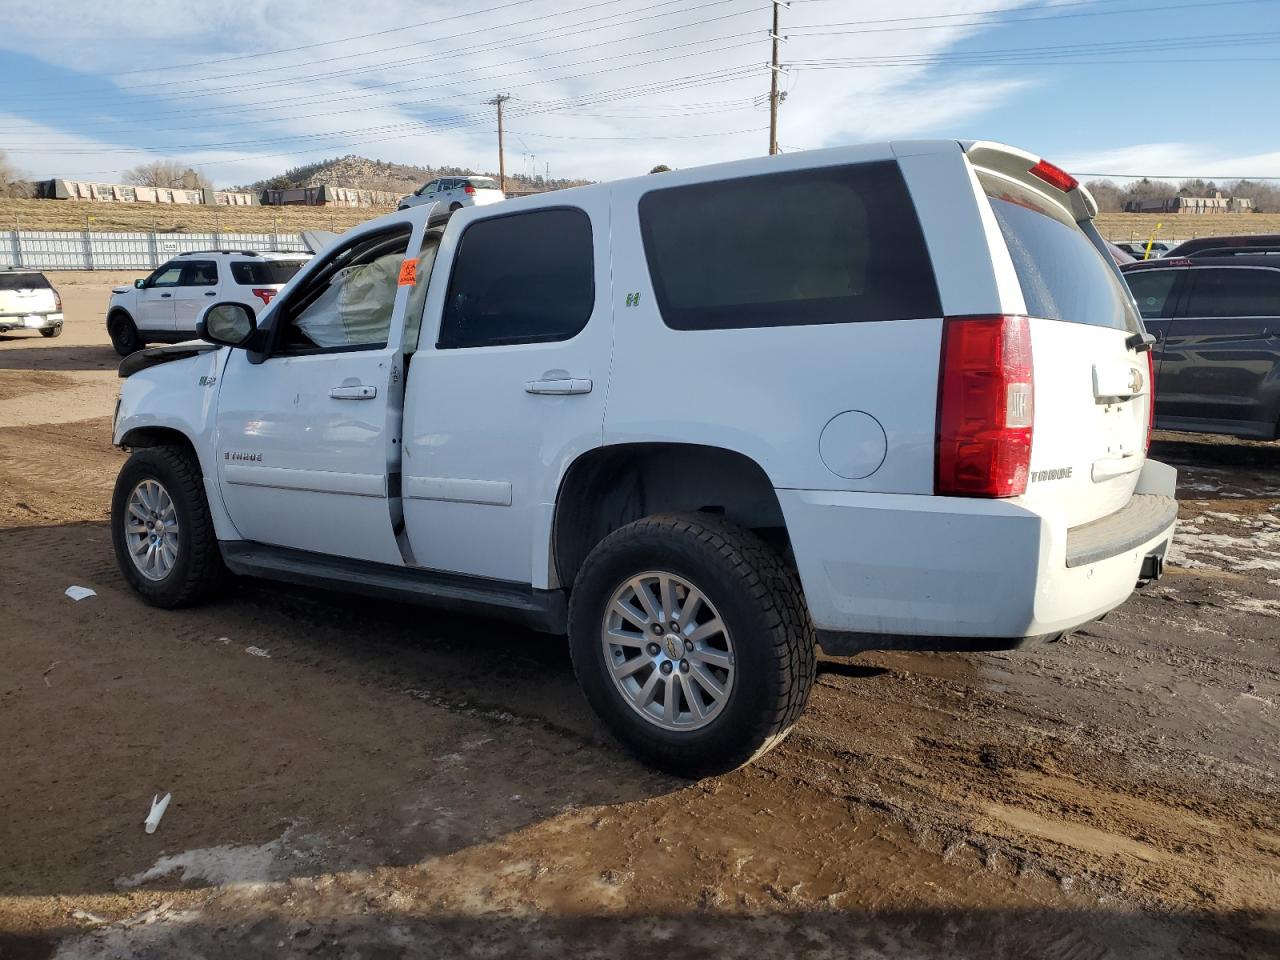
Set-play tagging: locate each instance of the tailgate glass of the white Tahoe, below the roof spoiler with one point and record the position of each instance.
(1063, 276)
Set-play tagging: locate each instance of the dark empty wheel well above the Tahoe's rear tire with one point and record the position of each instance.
(612, 487)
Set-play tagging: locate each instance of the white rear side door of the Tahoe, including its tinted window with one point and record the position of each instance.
(508, 387)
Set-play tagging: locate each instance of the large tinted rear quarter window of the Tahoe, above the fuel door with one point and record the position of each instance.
(828, 246)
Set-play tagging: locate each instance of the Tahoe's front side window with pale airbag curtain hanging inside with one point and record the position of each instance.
(348, 304)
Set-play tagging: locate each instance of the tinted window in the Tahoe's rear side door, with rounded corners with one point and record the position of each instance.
(523, 278)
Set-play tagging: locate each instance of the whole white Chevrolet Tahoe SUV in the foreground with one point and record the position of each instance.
(697, 423)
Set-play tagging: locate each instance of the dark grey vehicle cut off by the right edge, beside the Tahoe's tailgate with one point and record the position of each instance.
(1218, 322)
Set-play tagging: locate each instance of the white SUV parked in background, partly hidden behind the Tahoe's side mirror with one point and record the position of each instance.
(163, 308)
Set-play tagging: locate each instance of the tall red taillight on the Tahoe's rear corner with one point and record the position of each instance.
(986, 406)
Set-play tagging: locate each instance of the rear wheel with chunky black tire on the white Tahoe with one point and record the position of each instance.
(692, 642)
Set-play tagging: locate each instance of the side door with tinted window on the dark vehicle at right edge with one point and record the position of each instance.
(1222, 351)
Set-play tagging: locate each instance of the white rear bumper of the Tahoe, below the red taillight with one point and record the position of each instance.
(888, 572)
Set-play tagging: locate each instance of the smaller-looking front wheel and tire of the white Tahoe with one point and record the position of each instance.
(162, 529)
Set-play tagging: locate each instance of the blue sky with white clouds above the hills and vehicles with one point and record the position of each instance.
(609, 89)
